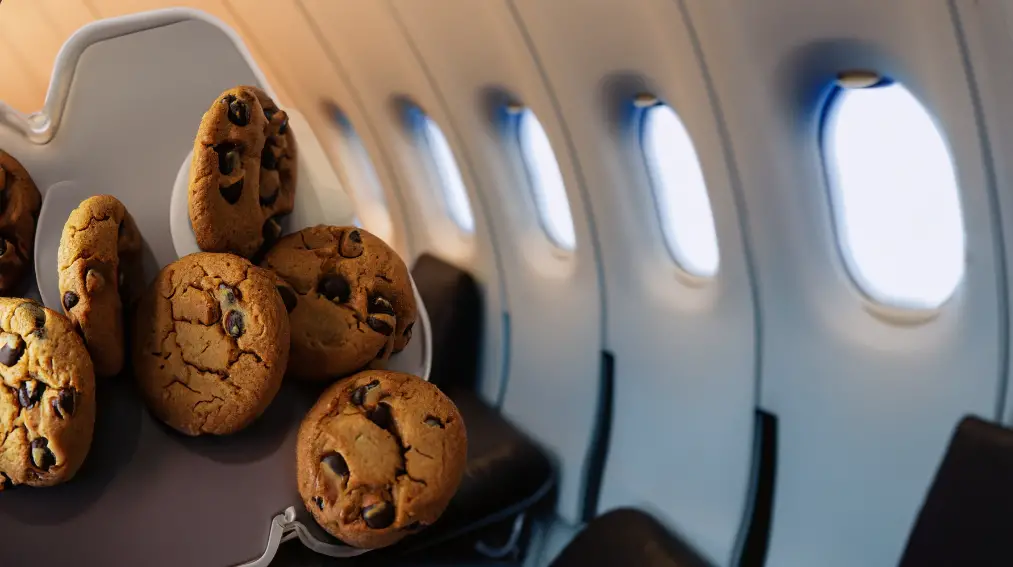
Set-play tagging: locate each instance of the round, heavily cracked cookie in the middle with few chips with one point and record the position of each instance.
(211, 344)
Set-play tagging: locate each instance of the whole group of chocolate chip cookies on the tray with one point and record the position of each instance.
(381, 453)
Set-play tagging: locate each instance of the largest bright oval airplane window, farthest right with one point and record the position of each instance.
(895, 196)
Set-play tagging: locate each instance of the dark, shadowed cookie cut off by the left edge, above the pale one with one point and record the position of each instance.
(20, 204)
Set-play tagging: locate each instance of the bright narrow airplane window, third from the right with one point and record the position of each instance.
(547, 182)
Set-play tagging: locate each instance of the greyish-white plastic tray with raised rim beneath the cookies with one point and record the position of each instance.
(120, 119)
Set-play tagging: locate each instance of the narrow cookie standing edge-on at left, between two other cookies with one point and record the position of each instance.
(100, 264)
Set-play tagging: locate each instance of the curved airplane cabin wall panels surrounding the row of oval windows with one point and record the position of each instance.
(866, 392)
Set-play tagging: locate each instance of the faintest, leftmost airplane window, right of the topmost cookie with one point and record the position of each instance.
(361, 178)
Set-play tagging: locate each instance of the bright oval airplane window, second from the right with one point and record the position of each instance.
(680, 192)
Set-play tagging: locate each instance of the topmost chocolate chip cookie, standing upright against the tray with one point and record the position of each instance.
(243, 175)
